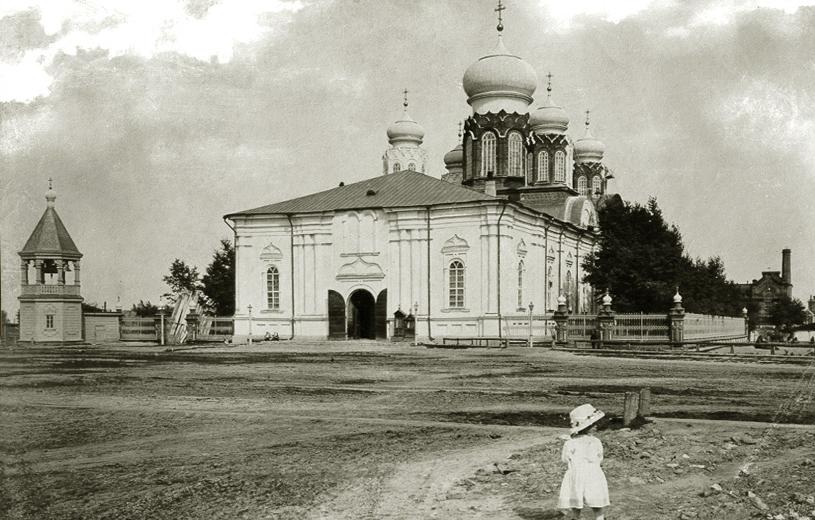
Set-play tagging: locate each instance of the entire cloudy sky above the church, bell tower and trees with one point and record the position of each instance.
(156, 118)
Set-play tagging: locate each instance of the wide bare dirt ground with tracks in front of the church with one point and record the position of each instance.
(370, 431)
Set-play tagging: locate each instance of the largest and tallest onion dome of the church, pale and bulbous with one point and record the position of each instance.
(502, 77)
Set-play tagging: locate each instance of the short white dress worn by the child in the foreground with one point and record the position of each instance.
(584, 483)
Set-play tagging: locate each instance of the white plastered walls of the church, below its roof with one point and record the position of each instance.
(374, 250)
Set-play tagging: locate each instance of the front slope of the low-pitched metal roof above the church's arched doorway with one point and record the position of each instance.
(402, 189)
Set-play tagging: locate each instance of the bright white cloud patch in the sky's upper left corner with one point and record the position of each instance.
(145, 28)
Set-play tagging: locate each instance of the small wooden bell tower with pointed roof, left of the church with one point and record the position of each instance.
(50, 302)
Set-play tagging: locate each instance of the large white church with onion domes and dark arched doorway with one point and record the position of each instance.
(508, 225)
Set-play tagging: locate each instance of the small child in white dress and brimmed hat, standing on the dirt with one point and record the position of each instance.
(584, 483)
